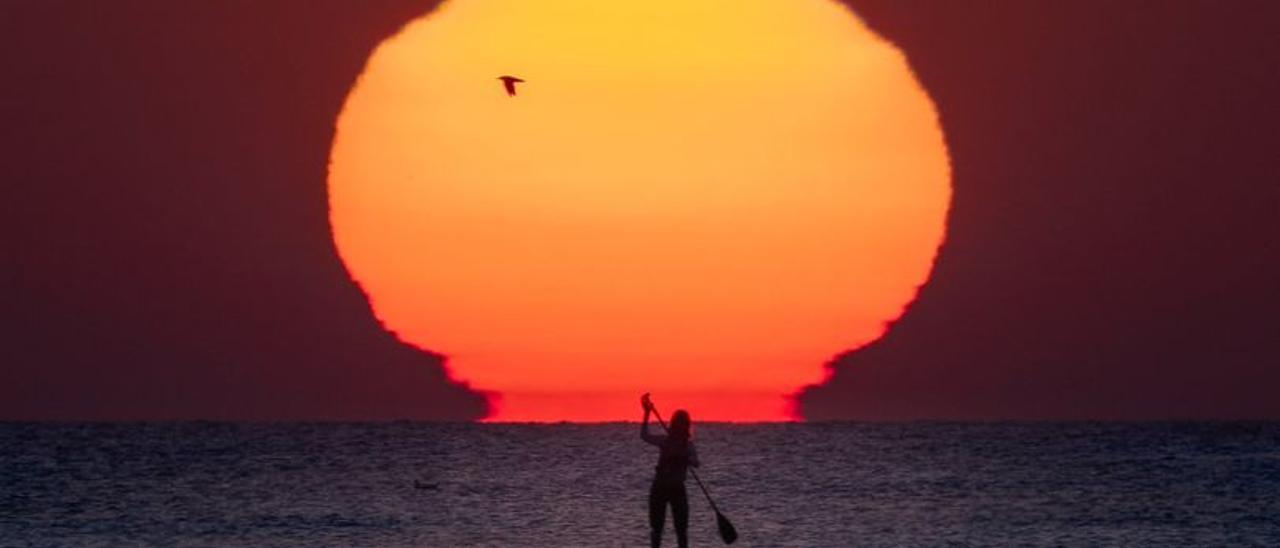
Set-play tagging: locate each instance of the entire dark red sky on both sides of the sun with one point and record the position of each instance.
(1114, 244)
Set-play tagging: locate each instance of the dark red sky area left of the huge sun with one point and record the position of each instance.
(166, 221)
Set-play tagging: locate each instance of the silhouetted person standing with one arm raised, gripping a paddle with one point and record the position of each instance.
(675, 455)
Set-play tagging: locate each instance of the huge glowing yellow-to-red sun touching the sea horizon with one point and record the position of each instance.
(706, 200)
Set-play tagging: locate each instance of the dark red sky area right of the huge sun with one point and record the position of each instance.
(1114, 244)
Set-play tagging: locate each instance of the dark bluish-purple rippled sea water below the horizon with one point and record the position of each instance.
(556, 486)
